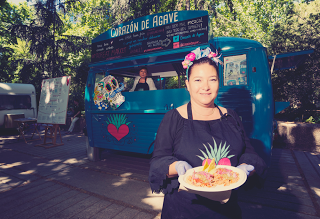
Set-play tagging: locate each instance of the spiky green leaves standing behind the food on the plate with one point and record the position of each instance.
(215, 152)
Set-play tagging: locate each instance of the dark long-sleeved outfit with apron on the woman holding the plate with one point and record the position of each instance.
(186, 139)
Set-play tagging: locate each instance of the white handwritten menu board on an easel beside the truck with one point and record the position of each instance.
(54, 100)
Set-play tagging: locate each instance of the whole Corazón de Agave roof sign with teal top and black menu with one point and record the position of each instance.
(151, 33)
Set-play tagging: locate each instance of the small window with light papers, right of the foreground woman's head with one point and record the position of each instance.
(235, 70)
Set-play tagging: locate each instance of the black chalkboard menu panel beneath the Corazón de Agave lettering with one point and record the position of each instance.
(171, 36)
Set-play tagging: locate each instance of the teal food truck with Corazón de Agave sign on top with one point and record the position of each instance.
(128, 121)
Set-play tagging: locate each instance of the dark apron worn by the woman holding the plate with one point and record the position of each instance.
(221, 134)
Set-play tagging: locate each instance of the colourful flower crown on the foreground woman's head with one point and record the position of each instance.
(198, 54)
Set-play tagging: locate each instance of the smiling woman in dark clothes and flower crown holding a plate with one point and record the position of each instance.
(184, 131)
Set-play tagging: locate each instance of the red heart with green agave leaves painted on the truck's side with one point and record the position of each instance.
(117, 126)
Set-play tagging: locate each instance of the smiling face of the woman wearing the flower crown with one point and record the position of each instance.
(203, 84)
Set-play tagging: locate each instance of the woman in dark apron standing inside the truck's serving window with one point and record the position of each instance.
(143, 83)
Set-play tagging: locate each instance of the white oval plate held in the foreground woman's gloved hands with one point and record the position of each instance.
(219, 188)
